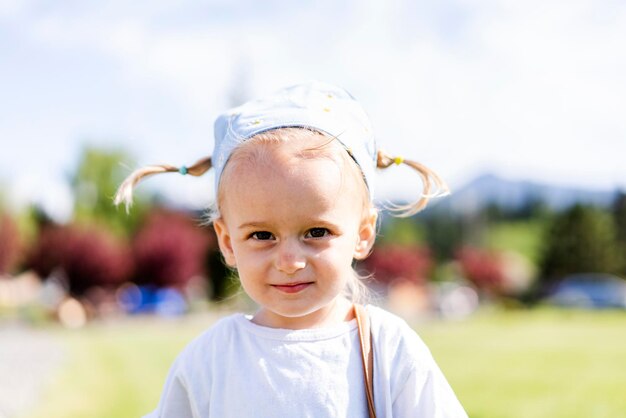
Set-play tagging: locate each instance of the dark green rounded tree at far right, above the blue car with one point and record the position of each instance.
(581, 239)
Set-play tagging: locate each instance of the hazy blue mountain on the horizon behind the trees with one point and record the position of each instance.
(514, 194)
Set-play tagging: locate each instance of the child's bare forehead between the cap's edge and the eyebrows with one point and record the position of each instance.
(316, 166)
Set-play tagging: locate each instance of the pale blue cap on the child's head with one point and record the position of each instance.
(314, 105)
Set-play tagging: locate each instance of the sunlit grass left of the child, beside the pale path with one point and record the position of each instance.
(115, 370)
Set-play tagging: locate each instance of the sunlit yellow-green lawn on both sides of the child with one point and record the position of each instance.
(541, 363)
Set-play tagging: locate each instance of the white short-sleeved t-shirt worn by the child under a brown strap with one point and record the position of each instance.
(240, 369)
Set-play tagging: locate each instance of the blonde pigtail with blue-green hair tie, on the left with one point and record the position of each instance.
(124, 193)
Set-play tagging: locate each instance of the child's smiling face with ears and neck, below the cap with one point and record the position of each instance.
(292, 226)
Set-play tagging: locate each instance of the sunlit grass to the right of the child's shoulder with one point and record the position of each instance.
(543, 363)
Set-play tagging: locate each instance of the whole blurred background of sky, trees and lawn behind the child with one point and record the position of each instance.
(515, 281)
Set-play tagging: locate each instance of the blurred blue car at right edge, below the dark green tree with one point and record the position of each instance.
(590, 290)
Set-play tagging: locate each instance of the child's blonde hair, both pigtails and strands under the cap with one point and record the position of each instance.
(357, 291)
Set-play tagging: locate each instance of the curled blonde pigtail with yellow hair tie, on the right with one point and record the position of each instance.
(430, 181)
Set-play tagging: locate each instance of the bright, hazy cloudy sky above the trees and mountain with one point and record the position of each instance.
(532, 90)
